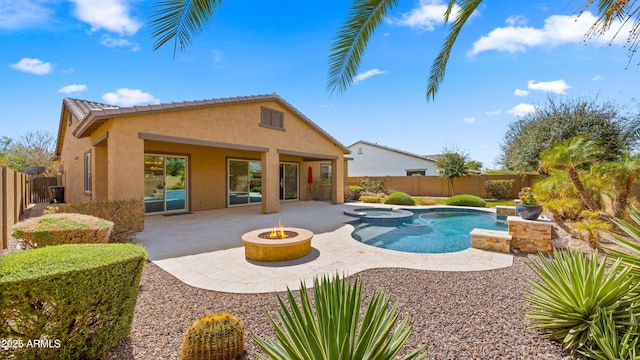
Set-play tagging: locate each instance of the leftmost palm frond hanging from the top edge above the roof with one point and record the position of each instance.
(180, 21)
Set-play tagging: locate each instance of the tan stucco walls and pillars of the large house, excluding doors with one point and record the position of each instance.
(231, 124)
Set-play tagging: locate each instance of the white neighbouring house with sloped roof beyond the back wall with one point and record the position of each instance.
(370, 159)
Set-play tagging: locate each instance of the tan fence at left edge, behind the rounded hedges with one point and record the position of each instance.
(15, 190)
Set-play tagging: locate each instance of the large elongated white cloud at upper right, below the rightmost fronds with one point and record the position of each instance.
(557, 30)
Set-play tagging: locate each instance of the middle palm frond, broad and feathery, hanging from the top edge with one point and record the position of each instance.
(351, 41)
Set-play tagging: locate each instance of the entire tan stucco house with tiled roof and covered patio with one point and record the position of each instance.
(196, 155)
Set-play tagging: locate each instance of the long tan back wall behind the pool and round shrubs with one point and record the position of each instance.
(435, 186)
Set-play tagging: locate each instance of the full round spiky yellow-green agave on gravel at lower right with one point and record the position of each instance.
(574, 291)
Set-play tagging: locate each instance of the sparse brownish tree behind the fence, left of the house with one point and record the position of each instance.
(32, 148)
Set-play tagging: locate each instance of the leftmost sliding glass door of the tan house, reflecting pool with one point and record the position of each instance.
(165, 183)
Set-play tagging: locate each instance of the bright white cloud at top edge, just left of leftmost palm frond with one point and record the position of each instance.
(110, 15)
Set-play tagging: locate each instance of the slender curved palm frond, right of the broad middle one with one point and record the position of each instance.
(467, 7)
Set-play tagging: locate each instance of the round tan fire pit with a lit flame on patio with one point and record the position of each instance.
(259, 246)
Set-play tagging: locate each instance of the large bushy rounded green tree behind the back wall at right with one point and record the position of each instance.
(560, 121)
